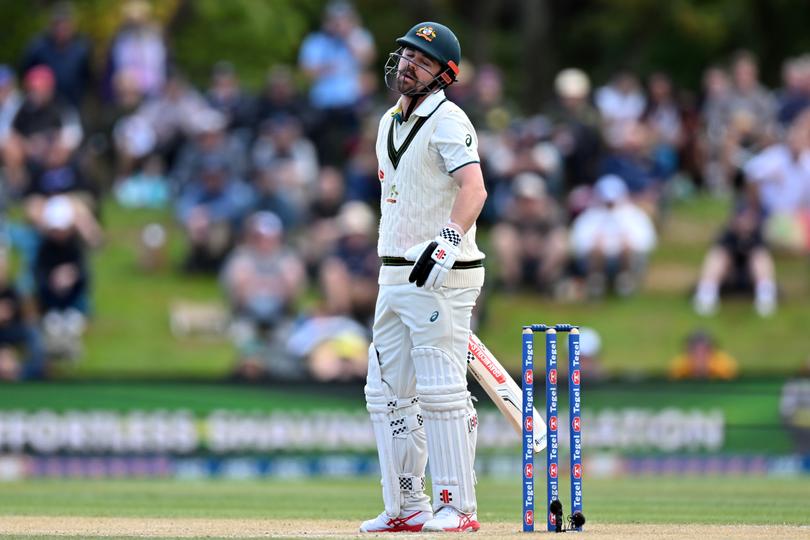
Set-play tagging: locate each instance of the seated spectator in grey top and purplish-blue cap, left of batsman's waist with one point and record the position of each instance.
(262, 278)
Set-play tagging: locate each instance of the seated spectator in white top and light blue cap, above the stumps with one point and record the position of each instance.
(611, 239)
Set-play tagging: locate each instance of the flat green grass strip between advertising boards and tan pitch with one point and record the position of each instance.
(721, 500)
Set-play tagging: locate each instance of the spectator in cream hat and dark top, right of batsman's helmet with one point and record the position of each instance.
(577, 128)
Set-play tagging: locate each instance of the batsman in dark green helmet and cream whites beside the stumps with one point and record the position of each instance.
(431, 275)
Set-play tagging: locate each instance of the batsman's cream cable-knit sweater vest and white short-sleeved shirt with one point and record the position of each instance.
(416, 159)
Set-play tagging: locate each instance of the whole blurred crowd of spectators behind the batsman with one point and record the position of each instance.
(276, 190)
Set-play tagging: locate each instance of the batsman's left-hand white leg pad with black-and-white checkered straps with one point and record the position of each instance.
(401, 445)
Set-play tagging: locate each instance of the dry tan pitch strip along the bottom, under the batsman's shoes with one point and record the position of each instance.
(85, 527)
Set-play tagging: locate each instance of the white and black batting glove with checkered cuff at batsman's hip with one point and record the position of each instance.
(434, 259)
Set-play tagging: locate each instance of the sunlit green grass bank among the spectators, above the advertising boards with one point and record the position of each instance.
(129, 334)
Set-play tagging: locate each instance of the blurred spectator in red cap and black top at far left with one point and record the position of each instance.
(45, 131)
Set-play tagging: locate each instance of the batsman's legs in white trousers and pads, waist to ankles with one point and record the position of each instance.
(417, 394)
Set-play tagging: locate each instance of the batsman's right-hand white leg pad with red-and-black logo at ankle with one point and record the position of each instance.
(452, 427)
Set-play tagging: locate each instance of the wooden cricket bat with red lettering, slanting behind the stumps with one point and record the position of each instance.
(502, 389)
